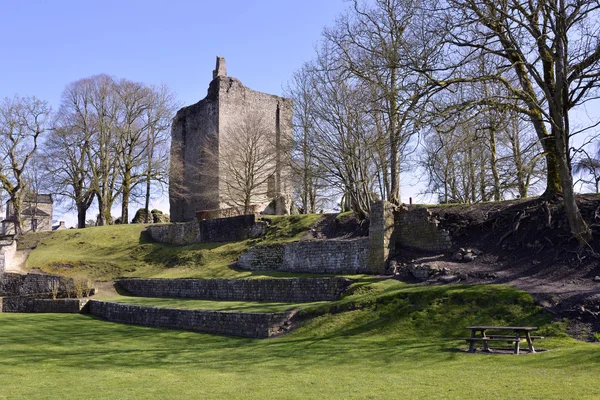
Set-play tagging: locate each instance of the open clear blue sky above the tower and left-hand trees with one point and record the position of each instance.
(48, 44)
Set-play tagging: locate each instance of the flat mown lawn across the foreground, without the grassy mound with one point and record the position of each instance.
(74, 356)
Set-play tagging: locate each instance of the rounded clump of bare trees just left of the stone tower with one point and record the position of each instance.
(108, 139)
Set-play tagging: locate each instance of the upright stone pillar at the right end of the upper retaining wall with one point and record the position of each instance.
(381, 229)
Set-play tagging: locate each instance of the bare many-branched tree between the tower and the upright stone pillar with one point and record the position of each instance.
(343, 138)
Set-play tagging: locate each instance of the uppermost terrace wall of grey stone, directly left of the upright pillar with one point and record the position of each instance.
(315, 256)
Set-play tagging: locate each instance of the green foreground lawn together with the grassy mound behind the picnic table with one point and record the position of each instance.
(398, 344)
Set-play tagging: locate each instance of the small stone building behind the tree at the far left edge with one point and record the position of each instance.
(36, 214)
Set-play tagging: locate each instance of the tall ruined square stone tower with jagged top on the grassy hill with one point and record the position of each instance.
(207, 139)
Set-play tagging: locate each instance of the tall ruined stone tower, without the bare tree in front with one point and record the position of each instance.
(201, 137)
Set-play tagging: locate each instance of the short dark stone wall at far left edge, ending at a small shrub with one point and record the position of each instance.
(18, 285)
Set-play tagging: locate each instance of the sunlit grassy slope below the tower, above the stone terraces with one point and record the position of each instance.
(109, 252)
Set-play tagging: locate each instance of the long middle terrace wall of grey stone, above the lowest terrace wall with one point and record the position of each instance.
(293, 290)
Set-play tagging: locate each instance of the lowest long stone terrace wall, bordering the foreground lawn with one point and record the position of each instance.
(252, 325)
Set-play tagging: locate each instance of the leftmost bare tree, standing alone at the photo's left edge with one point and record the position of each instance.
(23, 121)
